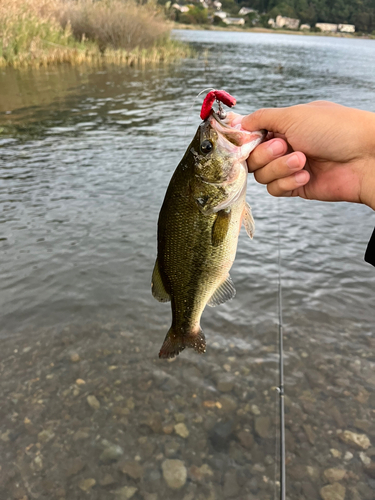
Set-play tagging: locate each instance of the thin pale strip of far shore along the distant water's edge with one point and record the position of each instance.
(212, 27)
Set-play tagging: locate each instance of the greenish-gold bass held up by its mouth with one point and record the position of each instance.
(198, 227)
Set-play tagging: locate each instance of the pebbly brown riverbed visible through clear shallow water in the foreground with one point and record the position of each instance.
(90, 412)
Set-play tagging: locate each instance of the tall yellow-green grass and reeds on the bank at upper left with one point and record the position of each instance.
(43, 32)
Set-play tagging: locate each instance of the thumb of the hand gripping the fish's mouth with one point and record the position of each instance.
(271, 119)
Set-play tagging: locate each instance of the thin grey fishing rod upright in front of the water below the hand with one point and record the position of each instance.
(281, 372)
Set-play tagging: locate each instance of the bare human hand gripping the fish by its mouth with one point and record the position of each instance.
(319, 151)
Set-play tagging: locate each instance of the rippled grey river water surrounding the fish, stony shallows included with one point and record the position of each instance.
(86, 155)
